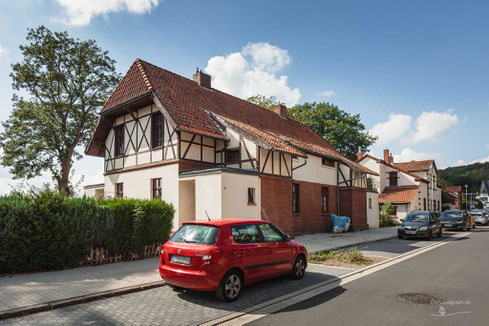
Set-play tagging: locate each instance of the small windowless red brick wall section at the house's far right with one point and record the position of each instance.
(353, 203)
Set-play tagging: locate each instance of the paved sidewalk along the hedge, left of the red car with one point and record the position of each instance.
(23, 290)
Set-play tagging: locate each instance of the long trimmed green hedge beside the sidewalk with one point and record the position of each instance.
(46, 231)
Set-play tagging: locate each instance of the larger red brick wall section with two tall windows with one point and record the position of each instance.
(276, 201)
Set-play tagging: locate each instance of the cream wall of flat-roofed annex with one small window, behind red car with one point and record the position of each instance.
(235, 196)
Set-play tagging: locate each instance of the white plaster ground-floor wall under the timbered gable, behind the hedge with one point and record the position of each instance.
(137, 184)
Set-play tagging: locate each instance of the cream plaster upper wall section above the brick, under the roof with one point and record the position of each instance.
(314, 171)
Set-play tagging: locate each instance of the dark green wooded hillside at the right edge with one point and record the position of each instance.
(471, 175)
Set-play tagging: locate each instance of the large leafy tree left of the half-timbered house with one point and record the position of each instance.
(65, 81)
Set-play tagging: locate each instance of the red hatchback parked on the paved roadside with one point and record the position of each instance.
(224, 255)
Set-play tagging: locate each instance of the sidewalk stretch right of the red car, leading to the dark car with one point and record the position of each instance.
(331, 241)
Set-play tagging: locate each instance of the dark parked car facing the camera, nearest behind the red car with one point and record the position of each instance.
(420, 224)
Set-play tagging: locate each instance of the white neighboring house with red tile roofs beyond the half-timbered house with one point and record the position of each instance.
(408, 186)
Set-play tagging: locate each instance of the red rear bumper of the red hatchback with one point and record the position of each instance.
(195, 280)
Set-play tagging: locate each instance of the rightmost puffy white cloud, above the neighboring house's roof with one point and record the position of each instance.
(430, 125)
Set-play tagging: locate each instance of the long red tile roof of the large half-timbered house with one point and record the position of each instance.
(188, 104)
